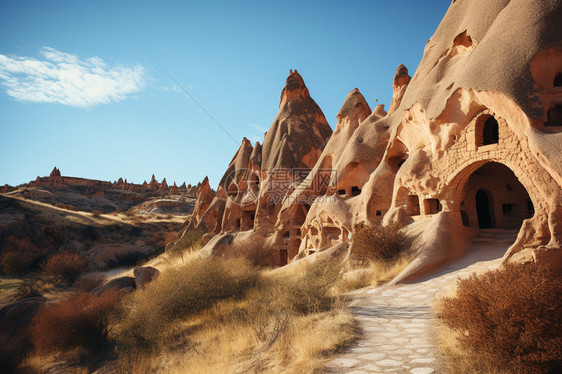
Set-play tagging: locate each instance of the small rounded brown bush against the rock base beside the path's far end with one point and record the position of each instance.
(378, 243)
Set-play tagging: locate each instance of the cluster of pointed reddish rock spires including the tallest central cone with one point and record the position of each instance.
(252, 190)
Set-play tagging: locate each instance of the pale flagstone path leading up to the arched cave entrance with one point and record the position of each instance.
(398, 323)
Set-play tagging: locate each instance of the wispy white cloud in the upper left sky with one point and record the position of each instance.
(66, 79)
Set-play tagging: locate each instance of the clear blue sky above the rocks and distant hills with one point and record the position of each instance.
(80, 90)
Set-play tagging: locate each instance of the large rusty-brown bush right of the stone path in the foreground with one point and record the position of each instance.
(510, 319)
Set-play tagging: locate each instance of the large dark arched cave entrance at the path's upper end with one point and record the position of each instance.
(495, 199)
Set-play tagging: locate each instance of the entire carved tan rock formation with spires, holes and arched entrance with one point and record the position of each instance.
(470, 142)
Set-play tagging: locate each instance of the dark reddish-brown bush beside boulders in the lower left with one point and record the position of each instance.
(79, 322)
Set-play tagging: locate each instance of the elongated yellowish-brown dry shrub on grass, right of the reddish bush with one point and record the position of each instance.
(182, 292)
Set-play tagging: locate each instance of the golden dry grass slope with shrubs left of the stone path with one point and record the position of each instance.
(258, 322)
